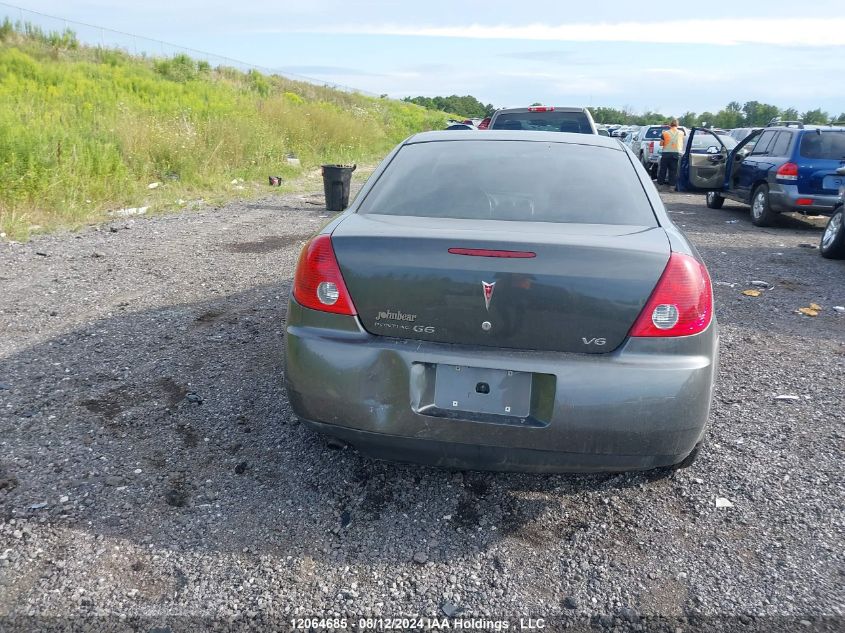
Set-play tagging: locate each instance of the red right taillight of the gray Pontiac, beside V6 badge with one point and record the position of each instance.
(681, 303)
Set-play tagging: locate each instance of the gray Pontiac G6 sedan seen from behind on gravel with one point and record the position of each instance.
(505, 301)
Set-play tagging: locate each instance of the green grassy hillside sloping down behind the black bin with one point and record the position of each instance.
(85, 130)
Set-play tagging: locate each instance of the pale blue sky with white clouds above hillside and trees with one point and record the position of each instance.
(666, 56)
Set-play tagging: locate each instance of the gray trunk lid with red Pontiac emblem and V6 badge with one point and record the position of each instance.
(575, 287)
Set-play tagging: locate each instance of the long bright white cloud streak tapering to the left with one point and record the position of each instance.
(719, 32)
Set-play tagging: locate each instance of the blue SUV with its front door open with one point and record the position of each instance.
(773, 170)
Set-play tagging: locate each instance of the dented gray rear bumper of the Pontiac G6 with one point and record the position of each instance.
(642, 406)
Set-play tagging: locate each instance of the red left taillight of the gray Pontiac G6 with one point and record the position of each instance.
(317, 283)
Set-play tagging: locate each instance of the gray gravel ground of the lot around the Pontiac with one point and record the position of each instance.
(151, 471)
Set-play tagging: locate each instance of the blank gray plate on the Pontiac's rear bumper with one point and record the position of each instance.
(480, 390)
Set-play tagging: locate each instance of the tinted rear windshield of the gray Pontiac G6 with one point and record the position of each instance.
(512, 180)
